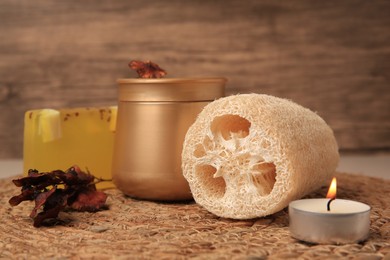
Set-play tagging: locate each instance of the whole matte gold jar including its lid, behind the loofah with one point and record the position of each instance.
(153, 118)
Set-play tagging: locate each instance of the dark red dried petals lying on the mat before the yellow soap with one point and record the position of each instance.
(56, 190)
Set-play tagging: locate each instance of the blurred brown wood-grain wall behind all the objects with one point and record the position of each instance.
(330, 56)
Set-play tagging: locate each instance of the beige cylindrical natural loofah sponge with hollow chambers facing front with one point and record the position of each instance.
(249, 155)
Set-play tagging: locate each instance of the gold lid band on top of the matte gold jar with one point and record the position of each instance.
(171, 89)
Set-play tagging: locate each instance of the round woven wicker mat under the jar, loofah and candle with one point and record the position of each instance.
(142, 230)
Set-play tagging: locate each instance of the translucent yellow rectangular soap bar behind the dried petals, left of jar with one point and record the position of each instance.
(58, 139)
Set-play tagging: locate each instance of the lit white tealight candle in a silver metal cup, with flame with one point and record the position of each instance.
(329, 220)
